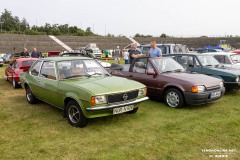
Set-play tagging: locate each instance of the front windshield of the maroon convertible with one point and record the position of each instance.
(166, 65)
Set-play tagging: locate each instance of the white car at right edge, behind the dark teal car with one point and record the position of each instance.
(227, 59)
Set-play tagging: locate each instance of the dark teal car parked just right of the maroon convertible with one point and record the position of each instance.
(207, 64)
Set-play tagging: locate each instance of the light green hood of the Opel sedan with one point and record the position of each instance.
(105, 85)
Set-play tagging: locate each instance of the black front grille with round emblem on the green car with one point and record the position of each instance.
(122, 97)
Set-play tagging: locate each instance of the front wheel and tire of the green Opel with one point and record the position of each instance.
(75, 115)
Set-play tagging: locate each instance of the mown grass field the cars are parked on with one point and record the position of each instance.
(154, 132)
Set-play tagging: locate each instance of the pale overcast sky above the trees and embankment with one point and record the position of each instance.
(128, 17)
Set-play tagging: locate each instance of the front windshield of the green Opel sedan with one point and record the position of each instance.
(79, 68)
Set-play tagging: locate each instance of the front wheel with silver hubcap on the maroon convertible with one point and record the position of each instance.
(173, 98)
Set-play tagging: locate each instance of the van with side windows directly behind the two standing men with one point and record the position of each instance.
(166, 48)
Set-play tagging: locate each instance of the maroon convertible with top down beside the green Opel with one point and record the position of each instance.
(166, 79)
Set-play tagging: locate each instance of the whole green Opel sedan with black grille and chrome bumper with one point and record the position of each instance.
(82, 88)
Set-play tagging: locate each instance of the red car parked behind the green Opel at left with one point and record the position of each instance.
(13, 71)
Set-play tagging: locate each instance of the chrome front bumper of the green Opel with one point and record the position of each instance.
(117, 105)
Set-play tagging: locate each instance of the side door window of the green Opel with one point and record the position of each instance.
(48, 70)
